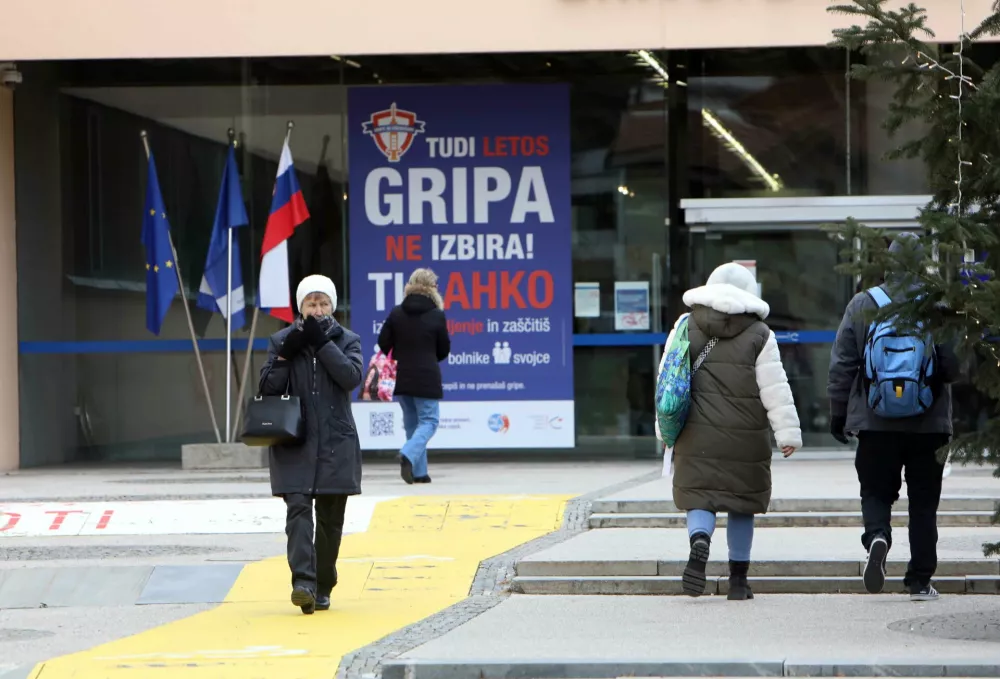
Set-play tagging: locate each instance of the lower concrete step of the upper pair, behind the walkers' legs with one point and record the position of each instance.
(787, 519)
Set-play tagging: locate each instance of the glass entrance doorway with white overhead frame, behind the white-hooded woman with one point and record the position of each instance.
(795, 262)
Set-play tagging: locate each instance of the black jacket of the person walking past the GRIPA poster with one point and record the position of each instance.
(417, 334)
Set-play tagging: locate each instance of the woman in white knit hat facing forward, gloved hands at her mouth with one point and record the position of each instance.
(319, 361)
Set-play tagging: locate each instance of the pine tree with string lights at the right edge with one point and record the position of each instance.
(957, 101)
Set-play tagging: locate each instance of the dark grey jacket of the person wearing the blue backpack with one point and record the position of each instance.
(844, 385)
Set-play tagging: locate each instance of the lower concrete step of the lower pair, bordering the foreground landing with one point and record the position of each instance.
(671, 585)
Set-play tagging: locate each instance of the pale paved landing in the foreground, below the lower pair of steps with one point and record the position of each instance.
(553, 633)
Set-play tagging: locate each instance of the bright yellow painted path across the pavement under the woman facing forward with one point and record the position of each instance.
(418, 557)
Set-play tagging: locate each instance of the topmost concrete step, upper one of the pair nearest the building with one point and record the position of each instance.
(664, 505)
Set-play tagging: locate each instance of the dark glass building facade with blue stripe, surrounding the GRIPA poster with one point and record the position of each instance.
(648, 130)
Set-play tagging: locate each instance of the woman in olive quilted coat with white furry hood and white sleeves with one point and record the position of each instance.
(722, 458)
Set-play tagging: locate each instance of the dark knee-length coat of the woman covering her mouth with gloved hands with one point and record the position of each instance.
(328, 462)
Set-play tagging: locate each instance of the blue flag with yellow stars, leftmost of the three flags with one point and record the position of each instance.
(161, 275)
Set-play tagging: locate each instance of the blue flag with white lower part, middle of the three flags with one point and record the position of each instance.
(229, 214)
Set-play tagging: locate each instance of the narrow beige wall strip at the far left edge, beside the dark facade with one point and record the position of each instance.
(10, 448)
